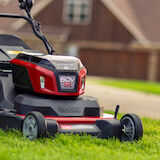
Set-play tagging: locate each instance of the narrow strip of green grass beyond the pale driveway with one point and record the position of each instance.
(143, 86)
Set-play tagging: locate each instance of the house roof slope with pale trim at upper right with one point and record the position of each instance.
(140, 17)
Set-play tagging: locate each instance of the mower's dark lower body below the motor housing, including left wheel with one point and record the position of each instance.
(75, 115)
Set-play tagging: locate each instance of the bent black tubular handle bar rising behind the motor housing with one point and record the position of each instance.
(35, 28)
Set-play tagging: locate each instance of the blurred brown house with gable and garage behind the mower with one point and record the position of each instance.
(113, 38)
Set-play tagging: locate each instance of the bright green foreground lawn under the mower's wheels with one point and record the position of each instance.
(68, 147)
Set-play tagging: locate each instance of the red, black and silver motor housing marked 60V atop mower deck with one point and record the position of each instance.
(49, 74)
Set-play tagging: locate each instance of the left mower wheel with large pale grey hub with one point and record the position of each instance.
(34, 126)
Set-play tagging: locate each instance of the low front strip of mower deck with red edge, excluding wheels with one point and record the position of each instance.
(101, 127)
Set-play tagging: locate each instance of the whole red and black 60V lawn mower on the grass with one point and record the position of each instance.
(42, 94)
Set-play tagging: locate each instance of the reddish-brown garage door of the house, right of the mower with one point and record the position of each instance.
(119, 64)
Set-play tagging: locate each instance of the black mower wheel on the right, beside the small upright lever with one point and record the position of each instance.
(132, 127)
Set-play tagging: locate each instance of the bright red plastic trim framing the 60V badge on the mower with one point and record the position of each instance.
(51, 86)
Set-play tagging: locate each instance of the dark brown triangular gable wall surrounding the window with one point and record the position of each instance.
(103, 27)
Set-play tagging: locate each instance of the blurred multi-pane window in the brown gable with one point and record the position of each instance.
(77, 11)
